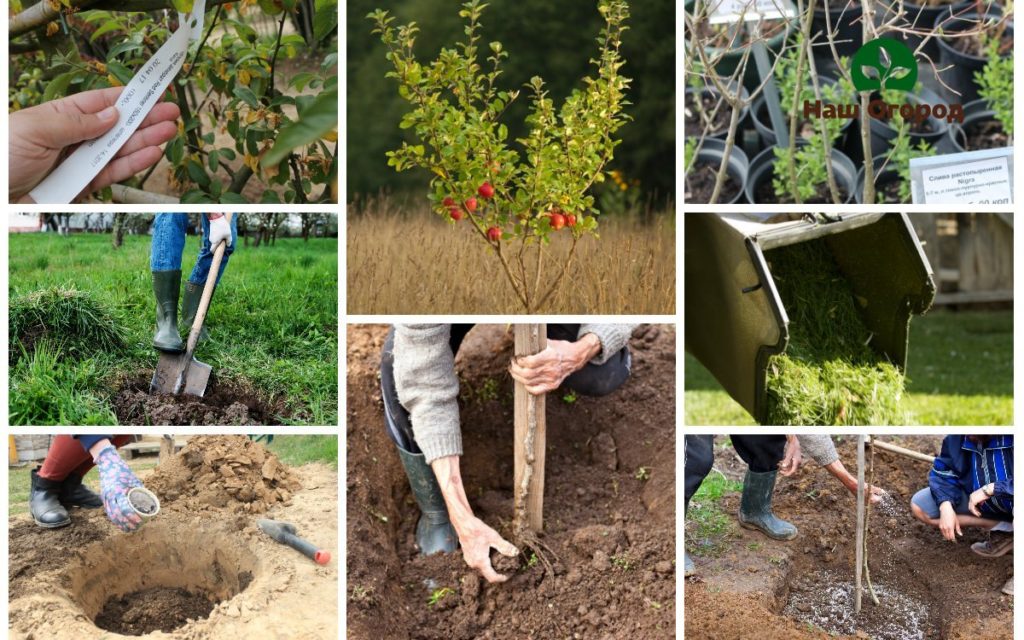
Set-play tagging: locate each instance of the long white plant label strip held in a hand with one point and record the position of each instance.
(136, 103)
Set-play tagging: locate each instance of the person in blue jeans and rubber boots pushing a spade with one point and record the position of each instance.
(165, 263)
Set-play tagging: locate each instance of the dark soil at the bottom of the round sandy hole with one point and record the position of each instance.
(153, 610)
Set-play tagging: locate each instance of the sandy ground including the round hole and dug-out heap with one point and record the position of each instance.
(200, 570)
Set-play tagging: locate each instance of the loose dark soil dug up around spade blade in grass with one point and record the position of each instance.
(225, 404)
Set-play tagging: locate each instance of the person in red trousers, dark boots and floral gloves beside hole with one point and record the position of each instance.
(57, 486)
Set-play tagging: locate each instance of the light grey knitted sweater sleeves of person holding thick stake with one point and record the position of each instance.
(429, 387)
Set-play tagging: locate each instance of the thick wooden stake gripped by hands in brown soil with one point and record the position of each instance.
(531, 438)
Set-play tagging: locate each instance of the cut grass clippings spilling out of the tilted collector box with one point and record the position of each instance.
(830, 374)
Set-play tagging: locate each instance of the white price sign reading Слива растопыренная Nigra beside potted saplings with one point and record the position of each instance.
(985, 178)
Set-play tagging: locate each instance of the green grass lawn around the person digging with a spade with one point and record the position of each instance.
(274, 326)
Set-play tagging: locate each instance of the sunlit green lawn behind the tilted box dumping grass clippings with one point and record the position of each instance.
(960, 373)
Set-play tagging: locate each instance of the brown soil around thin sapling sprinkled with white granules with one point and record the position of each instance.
(802, 589)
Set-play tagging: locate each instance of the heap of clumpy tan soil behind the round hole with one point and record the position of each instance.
(225, 473)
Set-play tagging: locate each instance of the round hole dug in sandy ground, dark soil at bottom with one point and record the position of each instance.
(159, 579)
